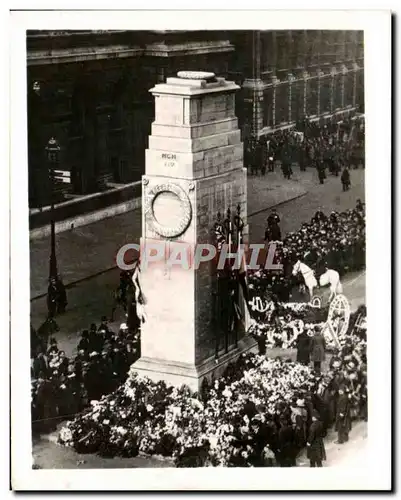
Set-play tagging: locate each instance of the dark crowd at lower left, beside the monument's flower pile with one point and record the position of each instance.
(63, 386)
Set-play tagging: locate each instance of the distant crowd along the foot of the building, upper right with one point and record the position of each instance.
(334, 147)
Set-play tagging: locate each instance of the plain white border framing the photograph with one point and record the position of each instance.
(374, 469)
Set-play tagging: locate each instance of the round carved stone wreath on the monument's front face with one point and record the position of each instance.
(168, 232)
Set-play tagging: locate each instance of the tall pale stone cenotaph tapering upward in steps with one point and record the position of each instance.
(194, 169)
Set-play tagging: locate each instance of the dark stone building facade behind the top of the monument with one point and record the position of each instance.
(89, 90)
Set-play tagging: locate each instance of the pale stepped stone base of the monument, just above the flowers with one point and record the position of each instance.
(188, 374)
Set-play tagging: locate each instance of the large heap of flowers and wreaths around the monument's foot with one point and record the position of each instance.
(155, 419)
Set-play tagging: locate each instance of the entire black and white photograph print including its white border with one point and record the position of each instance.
(196, 209)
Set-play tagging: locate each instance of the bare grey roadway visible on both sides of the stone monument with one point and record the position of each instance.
(92, 298)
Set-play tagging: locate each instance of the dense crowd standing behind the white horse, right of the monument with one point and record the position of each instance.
(335, 241)
